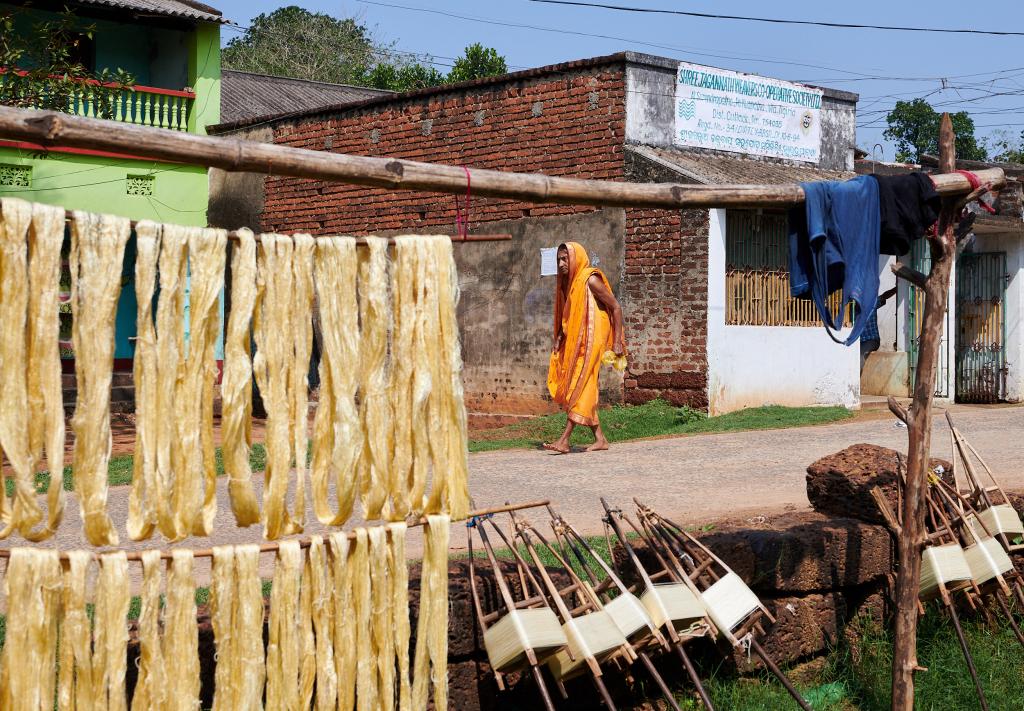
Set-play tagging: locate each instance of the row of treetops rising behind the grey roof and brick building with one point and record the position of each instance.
(294, 43)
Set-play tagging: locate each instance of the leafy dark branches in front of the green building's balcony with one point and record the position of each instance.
(44, 68)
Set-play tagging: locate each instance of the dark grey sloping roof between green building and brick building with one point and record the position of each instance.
(246, 97)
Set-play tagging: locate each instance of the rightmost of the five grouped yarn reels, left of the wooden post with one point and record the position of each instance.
(735, 610)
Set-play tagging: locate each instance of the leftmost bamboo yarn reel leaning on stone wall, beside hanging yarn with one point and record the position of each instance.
(520, 634)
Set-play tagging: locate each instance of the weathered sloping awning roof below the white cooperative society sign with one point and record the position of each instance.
(712, 170)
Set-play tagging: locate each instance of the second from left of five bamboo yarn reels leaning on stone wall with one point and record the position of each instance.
(593, 638)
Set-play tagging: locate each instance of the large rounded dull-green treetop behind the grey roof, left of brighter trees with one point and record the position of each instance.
(294, 43)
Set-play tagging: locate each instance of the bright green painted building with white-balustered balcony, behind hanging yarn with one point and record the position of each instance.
(173, 48)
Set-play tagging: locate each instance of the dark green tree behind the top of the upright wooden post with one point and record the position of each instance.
(915, 129)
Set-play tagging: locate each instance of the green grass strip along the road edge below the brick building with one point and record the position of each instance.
(624, 423)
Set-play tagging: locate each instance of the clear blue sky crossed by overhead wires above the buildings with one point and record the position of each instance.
(956, 72)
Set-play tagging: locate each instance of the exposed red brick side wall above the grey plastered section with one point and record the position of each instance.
(569, 123)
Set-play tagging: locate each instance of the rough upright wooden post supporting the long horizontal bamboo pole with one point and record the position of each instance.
(919, 422)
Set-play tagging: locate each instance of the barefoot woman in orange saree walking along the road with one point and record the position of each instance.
(588, 322)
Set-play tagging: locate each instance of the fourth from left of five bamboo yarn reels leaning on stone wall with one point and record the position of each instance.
(627, 611)
